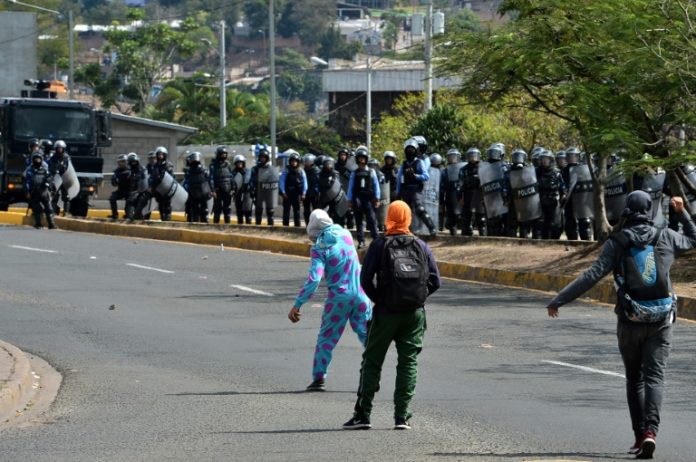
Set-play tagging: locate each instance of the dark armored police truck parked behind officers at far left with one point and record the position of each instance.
(38, 115)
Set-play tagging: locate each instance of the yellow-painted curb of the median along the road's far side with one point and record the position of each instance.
(603, 292)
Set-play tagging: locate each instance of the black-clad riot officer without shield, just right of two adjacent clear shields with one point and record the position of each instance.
(552, 191)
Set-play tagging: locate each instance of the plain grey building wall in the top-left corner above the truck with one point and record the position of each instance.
(18, 40)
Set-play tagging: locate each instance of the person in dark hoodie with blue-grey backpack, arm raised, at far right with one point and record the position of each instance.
(644, 345)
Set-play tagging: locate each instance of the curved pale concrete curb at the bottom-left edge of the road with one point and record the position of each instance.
(19, 385)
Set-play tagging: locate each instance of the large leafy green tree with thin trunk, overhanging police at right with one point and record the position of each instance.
(583, 62)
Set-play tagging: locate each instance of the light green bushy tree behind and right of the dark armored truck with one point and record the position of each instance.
(146, 53)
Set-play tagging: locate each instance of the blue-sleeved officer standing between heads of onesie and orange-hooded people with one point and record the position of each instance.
(363, 196)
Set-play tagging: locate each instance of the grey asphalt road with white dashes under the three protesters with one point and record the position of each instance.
(187, 367)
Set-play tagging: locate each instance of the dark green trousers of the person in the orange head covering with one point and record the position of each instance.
(406, 331)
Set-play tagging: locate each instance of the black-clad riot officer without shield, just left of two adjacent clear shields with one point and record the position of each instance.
(473, 212)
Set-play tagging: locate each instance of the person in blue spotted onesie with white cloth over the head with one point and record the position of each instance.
(334, 256)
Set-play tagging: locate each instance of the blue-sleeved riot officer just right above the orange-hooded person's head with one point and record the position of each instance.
(411, 178)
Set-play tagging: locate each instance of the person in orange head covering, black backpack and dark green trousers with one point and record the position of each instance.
(398, 274)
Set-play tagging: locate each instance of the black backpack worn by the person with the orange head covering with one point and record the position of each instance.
(403, 274)
